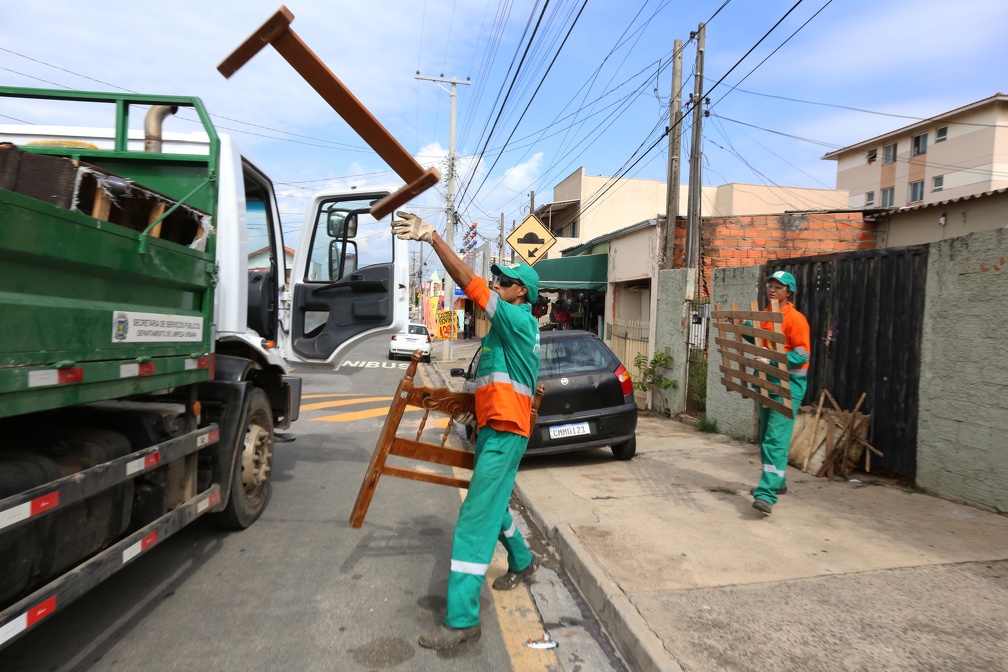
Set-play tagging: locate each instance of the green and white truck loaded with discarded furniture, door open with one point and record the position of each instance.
(149, 313)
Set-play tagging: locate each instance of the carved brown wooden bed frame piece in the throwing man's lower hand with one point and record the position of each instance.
(441, 400)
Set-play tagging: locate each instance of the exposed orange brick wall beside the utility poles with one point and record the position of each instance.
(728, 242)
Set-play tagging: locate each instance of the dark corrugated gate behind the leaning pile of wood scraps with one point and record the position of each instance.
(866, 314)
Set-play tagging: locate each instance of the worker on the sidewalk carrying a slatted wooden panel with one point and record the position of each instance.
(775, 429)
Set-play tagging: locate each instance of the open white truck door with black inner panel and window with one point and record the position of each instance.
(350, 280)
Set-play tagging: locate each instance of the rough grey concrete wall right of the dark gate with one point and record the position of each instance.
(963, 417)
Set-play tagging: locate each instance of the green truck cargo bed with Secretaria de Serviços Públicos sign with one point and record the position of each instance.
(106, 307)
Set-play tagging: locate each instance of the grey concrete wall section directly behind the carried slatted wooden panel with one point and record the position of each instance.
(732, 412)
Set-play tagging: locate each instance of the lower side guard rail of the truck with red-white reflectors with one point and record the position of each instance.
(30, 612)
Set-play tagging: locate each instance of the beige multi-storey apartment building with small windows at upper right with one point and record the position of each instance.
(960, 154)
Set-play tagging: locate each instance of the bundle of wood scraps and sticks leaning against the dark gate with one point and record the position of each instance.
(831, 443)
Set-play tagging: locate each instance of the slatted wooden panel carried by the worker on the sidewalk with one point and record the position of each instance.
(740, 372)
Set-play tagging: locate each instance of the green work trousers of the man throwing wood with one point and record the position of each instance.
(484, 520)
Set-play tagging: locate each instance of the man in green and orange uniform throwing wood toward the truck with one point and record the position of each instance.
(509, 369)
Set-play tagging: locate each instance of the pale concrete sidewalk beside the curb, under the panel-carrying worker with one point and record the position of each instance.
(686, 576)
